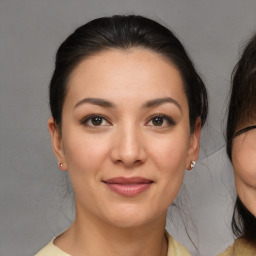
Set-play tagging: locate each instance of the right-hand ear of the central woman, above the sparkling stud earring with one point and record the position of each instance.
(194, 144)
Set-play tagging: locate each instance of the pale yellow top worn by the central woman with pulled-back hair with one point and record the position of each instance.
(174, 249)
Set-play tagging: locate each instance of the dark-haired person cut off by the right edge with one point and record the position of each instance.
(241, 150)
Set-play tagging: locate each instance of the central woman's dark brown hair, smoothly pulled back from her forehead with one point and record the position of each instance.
(125, 32)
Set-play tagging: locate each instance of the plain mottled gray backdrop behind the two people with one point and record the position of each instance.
(33, 207)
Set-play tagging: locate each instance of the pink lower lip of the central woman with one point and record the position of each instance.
(129, 189)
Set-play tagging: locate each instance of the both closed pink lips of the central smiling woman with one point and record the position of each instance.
(128, 186)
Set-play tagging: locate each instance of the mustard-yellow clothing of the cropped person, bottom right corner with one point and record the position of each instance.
(239, 248)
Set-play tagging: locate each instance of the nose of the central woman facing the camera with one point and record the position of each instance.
(128, 147)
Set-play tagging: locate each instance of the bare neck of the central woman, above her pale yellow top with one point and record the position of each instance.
(91, 236)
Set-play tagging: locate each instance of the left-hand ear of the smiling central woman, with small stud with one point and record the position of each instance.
(57, 146)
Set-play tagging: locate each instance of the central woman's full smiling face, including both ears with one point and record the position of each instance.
(125, 137)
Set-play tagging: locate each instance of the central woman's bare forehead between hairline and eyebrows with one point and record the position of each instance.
(123, 73)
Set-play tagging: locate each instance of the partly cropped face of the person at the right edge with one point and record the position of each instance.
(244, 164)
